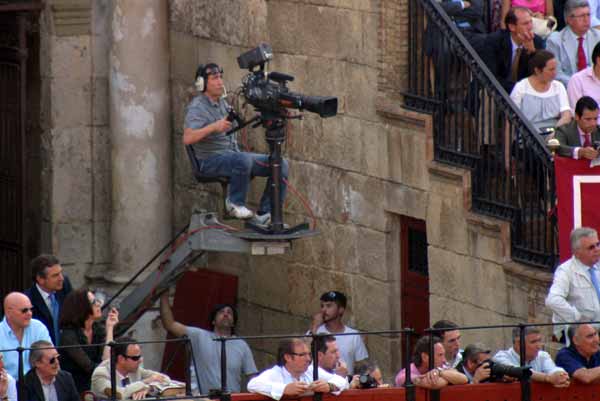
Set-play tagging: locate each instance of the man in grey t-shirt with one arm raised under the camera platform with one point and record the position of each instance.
(207, 353)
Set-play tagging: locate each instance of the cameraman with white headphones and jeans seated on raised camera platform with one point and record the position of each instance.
(218, 154)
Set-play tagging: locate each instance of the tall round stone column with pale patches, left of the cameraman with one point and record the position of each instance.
(140, 134)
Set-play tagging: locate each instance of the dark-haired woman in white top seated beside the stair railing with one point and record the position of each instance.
(540, 97)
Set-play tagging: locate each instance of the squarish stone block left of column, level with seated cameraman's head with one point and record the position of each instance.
(71, 102)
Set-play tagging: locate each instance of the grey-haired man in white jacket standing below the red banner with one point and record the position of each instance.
(575, 292)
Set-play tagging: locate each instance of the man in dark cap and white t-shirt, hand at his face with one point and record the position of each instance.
(329, 321)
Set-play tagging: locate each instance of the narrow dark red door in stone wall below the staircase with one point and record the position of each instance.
(414, 277)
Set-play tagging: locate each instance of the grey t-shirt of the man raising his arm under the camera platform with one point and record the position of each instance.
(208, 361)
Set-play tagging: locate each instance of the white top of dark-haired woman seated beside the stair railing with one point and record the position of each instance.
(541, 108)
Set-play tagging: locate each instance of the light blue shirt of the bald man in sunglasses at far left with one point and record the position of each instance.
(36, 331)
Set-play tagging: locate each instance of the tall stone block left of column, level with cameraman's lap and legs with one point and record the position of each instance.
(71, 175)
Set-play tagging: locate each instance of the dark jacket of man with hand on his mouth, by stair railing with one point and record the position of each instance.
(497, 54)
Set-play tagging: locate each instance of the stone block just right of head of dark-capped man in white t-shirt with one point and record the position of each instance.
(370, 303)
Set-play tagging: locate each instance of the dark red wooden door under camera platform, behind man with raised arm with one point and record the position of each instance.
(195, 295)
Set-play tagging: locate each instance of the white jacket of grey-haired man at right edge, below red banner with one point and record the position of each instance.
(572, 296)
